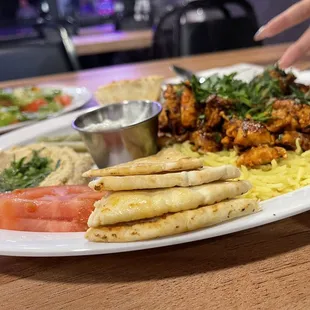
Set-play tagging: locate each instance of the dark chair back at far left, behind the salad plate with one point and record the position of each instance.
(39, 57)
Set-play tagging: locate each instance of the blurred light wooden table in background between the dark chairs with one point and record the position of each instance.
(92, 41)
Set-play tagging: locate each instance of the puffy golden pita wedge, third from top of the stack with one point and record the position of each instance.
(135, 205)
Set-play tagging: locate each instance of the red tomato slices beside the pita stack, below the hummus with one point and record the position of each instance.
(48, 209)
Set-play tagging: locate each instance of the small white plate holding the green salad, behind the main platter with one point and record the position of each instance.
(80, 95)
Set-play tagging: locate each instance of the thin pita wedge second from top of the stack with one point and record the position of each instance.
(168, 180)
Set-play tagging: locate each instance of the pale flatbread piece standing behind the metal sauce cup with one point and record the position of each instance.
(147, 88)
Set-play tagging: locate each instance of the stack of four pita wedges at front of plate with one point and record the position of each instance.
(162, 195)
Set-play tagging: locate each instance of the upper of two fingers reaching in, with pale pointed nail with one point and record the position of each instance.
(294, 15)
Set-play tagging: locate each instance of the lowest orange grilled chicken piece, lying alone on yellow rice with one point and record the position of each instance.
(261, 155)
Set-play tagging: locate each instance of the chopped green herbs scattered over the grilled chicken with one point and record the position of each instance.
(254, 99)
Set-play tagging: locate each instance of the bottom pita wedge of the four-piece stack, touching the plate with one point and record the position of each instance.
(175, 223)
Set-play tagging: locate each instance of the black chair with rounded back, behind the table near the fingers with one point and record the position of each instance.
(225, 31)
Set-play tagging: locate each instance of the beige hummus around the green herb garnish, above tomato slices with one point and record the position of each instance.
(71, 164)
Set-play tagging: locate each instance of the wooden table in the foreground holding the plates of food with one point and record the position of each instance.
(262, 268)
